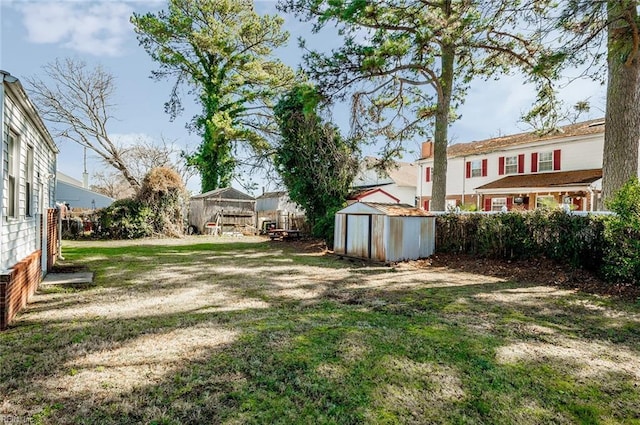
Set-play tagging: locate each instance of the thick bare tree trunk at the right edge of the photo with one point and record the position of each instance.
(622, 119)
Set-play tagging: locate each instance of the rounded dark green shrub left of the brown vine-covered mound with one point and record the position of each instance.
(125, 219)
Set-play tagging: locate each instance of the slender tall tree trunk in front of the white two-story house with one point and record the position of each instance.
(440, 137)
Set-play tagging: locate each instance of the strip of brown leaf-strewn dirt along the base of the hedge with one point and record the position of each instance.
(538, 270)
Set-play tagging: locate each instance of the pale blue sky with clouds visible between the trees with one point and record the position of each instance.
(36, 32)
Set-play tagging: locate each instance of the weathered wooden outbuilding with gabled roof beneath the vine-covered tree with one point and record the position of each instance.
(221, 211)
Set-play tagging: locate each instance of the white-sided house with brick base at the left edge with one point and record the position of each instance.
(27, 185)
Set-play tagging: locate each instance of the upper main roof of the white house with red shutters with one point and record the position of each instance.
(489, 145)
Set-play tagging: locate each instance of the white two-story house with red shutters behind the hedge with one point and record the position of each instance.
(521, 171)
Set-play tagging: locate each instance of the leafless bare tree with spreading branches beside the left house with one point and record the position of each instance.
(78, 103)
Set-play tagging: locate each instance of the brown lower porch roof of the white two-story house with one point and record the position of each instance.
(562, 178)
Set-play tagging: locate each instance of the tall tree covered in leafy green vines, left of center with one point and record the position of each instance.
(221, 49)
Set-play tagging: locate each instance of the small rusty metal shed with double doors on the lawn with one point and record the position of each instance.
(384, 232)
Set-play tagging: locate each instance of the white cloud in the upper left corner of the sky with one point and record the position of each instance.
(98, 28)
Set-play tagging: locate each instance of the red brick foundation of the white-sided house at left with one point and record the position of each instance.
(17, 286)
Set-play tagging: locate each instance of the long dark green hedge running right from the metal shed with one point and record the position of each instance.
(606, 244)
